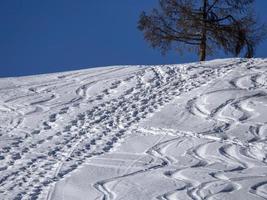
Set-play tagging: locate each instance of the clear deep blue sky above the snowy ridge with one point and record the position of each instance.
(58, 35)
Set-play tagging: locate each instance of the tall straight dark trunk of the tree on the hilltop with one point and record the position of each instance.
(203, 43)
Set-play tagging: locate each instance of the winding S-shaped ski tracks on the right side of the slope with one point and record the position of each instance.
(237, 158)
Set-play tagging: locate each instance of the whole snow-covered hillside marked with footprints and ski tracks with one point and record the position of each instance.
(195, 131)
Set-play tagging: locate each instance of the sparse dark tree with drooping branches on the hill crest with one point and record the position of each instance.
(203, 26)
